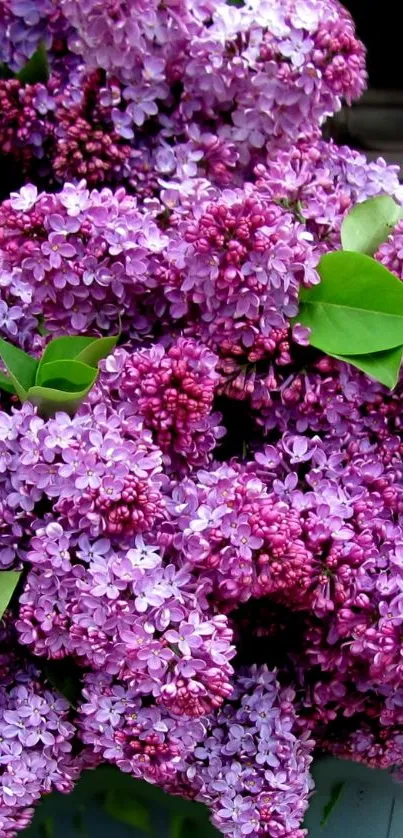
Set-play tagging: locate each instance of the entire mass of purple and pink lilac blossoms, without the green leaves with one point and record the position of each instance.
(213, 540)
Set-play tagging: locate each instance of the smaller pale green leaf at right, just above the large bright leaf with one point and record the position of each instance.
(369, 224)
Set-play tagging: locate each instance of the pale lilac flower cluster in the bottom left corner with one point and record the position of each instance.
(36, 740)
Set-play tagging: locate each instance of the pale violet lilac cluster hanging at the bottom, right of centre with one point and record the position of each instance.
(251, 768)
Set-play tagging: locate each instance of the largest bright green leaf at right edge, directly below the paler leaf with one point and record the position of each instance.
(356, 309)
